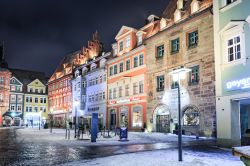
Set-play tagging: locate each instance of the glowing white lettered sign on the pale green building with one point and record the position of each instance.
(243, 83)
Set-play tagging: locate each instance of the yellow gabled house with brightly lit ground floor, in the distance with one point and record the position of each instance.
(35, 104)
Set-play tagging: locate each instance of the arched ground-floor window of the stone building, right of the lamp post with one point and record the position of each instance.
(191, 116)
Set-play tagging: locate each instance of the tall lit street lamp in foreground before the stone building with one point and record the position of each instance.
(177, 75)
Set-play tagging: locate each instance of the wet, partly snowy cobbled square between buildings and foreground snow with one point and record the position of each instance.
(22, 147)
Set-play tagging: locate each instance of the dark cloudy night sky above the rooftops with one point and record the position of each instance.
(39, 33)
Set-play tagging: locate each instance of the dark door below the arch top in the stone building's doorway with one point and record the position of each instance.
(163, 123)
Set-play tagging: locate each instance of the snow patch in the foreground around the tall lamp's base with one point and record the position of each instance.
(160, 158)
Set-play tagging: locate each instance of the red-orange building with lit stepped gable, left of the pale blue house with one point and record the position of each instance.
(59, 84)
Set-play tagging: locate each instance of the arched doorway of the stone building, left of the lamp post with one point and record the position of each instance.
(161, 119)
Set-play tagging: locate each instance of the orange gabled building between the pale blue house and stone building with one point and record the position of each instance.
(127, 93)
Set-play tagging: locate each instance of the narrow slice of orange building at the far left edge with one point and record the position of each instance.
(4, 92)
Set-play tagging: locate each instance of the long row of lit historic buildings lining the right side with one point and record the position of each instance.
(133, 85)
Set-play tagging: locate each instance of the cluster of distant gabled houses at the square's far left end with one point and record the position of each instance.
(23, 97)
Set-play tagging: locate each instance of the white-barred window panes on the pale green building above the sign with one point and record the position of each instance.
(234, 48)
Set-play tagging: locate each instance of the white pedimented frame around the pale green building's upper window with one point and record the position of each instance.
(228, 32)
